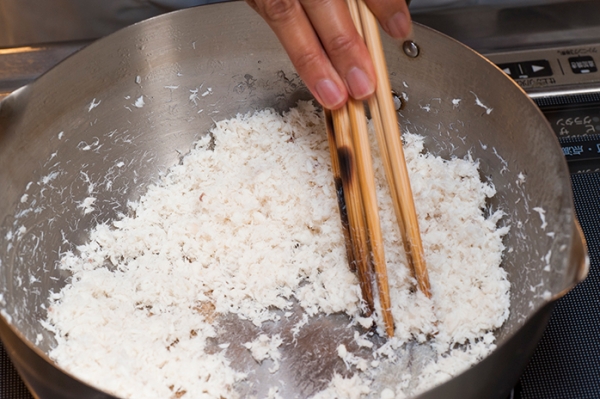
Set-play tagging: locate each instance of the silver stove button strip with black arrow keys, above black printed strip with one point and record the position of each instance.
(551, 68)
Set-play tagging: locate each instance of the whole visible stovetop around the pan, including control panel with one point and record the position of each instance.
(552, 51)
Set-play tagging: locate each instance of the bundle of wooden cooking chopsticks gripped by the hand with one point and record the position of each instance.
(352, 167)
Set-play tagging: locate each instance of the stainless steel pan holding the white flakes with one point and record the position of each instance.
(80, 118)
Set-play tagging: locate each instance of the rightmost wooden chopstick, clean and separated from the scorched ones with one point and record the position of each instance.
(390, 143)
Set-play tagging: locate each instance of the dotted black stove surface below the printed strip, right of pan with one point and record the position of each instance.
(566, 363)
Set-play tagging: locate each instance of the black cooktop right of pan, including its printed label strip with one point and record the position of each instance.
(566, 363)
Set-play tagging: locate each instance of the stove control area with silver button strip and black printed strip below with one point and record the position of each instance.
(565, 83)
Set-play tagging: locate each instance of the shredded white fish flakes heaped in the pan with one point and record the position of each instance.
(249, 223)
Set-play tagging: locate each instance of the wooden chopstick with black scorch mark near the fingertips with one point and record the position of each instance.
(346, 157)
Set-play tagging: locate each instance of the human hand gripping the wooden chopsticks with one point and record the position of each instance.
(325, 47)
